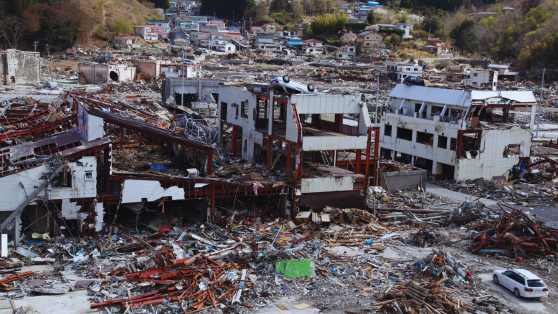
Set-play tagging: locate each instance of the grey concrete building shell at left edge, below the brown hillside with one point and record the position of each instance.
(24, 67)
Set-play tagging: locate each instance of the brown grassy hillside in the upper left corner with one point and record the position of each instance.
(61, 24)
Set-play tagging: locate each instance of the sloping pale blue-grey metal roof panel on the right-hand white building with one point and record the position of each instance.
(432, 95)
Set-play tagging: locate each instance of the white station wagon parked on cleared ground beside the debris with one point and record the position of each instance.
(522, 282)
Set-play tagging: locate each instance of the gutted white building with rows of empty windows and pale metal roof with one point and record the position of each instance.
(457, 134)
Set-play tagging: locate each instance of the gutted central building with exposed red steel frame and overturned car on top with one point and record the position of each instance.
(324, 143)
